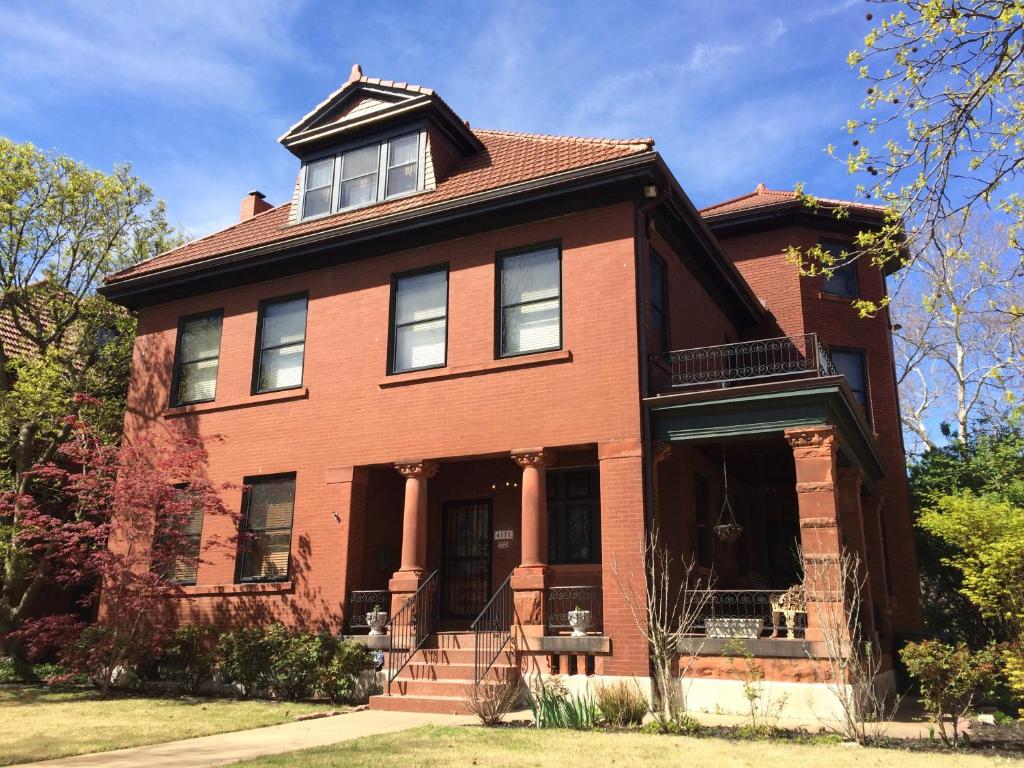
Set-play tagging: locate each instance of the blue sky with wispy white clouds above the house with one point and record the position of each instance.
(195, 95)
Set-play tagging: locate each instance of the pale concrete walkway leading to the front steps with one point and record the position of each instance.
(229, 748)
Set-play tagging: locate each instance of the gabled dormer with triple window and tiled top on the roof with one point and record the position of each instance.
(373, 141)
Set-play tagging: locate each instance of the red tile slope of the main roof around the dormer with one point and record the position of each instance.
(508, 159)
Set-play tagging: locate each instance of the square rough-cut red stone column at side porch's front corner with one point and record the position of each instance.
(815, 452)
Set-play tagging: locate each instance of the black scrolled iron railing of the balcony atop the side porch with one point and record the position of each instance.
(742, 363)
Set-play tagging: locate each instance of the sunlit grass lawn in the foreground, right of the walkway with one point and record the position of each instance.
(523, 748)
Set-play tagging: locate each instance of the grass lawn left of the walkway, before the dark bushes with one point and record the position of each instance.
(37, 723)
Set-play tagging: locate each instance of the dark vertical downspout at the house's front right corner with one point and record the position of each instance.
(650, 200)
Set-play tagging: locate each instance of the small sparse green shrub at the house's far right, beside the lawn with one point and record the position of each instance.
(951, 678)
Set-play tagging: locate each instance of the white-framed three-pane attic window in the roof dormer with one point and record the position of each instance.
(364, 176)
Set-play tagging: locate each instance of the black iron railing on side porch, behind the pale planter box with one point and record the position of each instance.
(745, 614)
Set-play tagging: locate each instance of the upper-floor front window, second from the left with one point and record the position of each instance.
(281, 345)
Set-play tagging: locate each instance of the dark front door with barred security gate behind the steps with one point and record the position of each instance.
(465, 559)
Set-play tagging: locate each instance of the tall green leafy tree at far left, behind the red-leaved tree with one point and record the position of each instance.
(63, 228)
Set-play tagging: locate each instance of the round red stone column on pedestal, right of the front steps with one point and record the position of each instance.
(529, 579)
